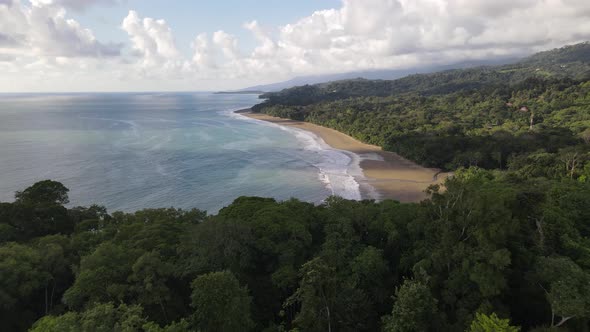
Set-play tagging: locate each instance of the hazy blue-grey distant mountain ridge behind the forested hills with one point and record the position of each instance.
(387, 74)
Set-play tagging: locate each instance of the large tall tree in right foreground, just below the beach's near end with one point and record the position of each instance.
(466, 243)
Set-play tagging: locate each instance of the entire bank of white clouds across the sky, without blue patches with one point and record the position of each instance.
(362, 34)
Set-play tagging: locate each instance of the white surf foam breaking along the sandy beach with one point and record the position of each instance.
(339, 170)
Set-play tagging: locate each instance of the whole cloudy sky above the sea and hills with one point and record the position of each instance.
(178, 45)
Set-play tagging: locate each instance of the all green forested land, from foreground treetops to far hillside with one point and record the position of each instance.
(503, 245)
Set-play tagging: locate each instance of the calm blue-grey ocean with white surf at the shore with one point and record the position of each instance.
(130, 151)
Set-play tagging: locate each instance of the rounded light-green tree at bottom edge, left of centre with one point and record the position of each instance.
(220, 303)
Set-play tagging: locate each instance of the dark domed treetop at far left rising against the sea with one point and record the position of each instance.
(44, 192)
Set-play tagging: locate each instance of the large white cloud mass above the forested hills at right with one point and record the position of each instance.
(372, 34)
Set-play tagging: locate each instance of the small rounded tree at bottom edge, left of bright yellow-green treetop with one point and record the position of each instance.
(414, 308)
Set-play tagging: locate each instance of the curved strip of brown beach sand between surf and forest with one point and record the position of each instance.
(392, 176)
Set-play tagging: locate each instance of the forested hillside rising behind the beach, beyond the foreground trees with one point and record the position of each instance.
(488, 116)
